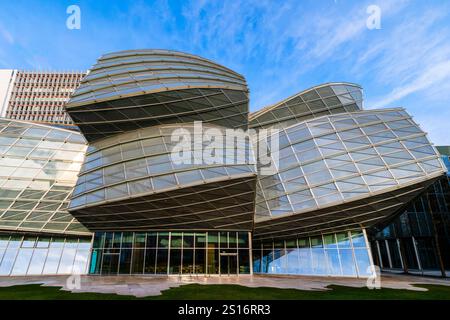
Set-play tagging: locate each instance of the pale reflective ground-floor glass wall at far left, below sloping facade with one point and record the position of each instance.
(30, 255)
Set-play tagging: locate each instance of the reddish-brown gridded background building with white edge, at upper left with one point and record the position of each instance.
(37, 96)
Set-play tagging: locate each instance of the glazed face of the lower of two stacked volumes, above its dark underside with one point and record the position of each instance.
(140, 163)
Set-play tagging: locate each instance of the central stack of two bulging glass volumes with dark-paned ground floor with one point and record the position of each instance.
(161, 216)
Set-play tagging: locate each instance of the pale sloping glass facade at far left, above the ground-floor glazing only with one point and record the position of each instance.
(40, 165)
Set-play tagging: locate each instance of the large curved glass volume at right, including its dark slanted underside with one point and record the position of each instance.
(334, 160)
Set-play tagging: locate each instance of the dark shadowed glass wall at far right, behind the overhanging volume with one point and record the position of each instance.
(418, 241)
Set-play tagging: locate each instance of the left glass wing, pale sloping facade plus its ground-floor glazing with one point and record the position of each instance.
(39, 168)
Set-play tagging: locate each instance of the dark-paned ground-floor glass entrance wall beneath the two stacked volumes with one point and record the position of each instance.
(171, 253)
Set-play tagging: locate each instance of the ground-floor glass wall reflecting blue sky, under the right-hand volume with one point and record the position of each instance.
(334, 254)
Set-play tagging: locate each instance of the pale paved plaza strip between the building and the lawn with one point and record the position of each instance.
(142, 286)
